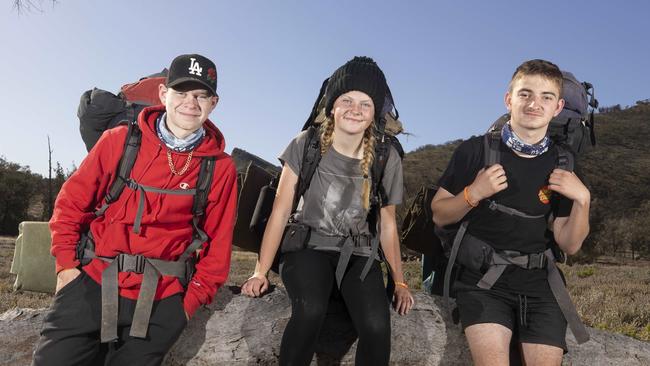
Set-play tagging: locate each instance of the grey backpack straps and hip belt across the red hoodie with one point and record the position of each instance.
(151, 268)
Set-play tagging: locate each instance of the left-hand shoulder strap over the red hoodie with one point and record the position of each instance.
(129, 154)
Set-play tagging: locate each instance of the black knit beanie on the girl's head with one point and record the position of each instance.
(361, 74)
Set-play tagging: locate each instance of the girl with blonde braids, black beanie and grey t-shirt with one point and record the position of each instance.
(341, 251)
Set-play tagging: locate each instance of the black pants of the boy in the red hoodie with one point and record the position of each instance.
(70, 334)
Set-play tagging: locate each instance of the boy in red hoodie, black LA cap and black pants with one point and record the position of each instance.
(131, 294)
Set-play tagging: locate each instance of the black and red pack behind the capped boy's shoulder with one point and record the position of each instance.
(100, 110)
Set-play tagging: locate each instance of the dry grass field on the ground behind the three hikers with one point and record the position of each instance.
(608, 296)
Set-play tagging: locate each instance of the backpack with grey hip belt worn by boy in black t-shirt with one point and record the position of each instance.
(568, 134)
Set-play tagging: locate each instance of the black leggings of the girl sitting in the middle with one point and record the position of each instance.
(308, 276)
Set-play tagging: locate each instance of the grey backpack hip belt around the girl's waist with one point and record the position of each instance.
(347, 244)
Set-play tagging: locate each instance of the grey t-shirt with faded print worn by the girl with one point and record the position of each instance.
(332, 203)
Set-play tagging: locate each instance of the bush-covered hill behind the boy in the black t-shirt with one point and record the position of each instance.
(616, 170)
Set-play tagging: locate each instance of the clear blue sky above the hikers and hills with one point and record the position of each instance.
(448, 63)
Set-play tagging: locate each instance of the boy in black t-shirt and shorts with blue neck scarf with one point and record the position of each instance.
(527, 180)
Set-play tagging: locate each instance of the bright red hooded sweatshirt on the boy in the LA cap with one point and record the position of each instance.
(166, 223)
